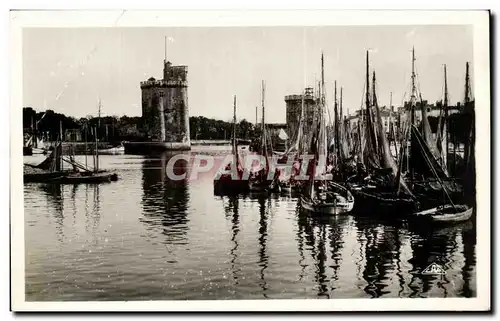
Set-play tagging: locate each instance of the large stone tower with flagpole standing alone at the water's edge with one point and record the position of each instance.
(165, 113)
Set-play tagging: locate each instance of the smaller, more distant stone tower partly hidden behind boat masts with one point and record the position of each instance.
(293, 110)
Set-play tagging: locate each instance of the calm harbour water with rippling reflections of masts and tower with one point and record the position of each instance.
(147, 238)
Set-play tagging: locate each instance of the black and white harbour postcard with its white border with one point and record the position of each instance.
(249, 161)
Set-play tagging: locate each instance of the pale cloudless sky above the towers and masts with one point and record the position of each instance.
(69, 69)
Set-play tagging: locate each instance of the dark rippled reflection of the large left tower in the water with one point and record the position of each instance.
(165, 201)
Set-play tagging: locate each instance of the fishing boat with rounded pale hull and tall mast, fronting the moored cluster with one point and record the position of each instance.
(324, 196)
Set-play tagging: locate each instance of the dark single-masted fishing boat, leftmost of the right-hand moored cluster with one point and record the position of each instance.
(227, 183)
